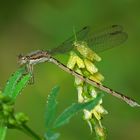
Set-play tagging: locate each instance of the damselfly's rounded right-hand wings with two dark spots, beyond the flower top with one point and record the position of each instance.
(106, 38)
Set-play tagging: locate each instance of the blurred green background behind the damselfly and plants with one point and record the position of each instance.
(28, 25)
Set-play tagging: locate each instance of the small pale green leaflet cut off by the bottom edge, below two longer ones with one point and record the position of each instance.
(51, 136)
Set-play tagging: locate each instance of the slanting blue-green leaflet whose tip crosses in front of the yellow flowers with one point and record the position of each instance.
(75, 108)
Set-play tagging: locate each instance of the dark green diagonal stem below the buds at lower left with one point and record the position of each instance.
(30, 132)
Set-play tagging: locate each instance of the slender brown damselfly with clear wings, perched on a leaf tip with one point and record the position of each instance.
(99, 41)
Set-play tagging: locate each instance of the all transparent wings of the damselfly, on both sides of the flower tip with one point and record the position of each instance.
(98, 41)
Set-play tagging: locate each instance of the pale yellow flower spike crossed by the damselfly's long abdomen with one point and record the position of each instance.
(83, 63)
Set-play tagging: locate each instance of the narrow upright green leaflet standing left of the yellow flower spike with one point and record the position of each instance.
(51, 107)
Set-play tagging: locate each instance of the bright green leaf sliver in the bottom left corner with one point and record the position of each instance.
(3, 130)
